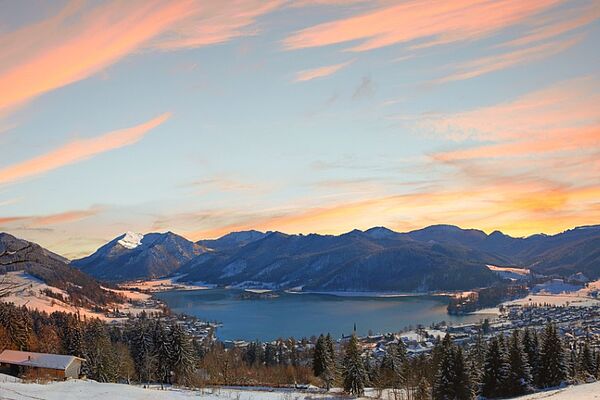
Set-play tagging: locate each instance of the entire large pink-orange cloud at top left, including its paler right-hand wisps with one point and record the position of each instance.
(80, 40)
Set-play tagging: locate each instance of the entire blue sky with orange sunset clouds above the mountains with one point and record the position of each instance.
(205, 117)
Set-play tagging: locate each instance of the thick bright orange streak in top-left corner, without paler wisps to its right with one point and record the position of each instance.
(77, 43)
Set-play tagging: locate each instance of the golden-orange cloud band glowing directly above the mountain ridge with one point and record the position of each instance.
(517, 209)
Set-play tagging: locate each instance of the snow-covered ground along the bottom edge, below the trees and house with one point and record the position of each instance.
(80, 389)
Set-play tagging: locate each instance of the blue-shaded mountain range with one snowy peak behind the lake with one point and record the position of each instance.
(439, 257)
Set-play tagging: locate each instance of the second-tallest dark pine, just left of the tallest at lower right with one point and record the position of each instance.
(518, 381)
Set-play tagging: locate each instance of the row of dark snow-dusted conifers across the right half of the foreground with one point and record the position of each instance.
(502, 367)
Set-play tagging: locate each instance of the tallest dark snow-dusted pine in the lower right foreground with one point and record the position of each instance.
(553, 368)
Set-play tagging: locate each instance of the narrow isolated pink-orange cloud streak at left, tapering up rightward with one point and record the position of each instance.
(78, 150)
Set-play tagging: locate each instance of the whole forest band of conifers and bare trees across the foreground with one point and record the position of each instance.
(151, 349)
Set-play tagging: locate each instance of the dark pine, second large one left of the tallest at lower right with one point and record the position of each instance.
(495, 370)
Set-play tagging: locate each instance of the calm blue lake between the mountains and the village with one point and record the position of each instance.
(304, 315)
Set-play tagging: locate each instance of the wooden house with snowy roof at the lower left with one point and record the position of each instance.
(40, 365)
